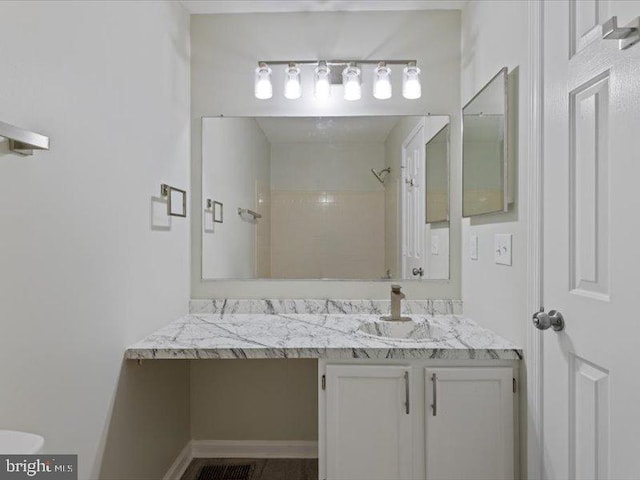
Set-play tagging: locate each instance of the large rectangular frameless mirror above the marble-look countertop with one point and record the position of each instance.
(361, 198)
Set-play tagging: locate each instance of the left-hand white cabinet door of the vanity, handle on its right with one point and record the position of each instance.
(368, 430)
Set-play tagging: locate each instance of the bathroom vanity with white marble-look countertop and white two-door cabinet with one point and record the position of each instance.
(431, 398)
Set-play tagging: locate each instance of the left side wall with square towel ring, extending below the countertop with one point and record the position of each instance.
(82, 272)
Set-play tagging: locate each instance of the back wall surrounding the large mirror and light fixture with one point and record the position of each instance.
(225, 51)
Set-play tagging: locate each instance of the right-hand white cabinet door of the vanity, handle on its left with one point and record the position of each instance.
(469, 423)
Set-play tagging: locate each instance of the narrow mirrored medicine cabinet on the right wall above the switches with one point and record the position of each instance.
(485, 149)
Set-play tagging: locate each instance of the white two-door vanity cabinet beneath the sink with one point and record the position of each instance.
(377, 420)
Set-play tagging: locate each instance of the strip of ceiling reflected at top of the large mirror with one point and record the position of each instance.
(327, 129)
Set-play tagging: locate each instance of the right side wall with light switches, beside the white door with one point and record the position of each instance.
(495, 295)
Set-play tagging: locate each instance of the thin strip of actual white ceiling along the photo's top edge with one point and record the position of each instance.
(272, 6)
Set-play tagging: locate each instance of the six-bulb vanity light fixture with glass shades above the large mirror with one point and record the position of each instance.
(336, 72)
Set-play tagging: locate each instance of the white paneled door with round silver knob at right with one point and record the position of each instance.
(591, 409)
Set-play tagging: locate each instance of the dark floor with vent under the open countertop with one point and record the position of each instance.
(261, 468)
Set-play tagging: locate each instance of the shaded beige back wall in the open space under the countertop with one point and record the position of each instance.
(271, 399)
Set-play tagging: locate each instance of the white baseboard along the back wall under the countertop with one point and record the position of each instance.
(253, 449)
